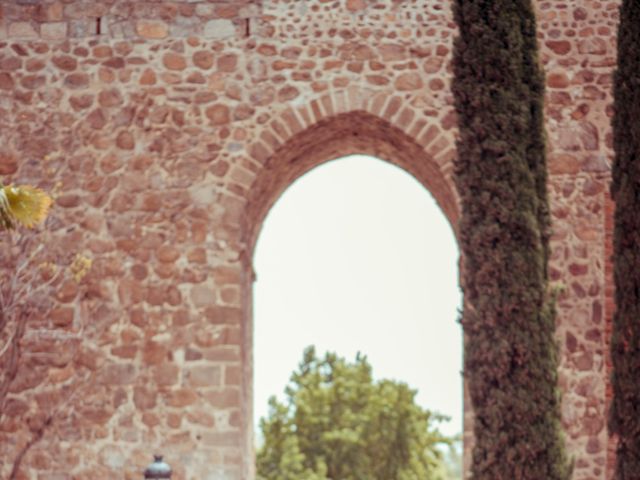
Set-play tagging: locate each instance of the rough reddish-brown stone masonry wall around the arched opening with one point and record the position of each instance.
(167, 129)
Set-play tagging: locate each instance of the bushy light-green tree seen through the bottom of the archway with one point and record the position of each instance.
(339, 424)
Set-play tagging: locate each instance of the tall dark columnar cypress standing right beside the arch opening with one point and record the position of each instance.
(511, 356)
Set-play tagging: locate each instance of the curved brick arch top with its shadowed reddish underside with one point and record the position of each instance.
(344, 122)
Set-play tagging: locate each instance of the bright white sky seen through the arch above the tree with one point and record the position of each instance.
(357, 256)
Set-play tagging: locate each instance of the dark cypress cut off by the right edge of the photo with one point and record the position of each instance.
(624, 417)
